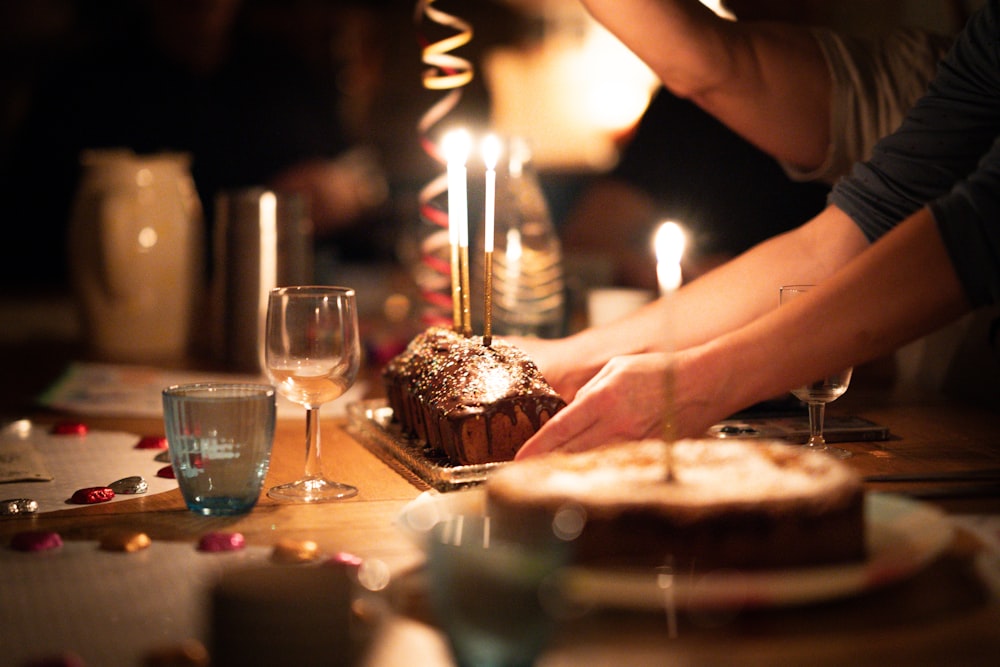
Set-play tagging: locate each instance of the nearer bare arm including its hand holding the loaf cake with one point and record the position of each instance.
(900, 288)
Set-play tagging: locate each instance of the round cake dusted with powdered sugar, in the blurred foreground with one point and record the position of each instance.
(729, 504)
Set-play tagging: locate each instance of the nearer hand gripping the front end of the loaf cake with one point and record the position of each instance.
(626, 400)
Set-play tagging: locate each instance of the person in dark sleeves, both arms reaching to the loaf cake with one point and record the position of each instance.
(908, 243)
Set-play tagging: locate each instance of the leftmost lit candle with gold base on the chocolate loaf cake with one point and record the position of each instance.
(456, 151)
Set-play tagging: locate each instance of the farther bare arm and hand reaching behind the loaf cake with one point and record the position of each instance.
(718, 302)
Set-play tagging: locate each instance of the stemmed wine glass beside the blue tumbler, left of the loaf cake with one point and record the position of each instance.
(312, 355)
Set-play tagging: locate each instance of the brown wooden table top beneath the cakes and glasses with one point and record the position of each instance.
(943, 615)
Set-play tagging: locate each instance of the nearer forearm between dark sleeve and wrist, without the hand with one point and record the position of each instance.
(901, 288)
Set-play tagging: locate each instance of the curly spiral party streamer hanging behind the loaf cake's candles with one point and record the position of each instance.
(445, 72)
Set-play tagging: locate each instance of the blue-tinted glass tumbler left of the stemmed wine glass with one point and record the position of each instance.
(220, 437)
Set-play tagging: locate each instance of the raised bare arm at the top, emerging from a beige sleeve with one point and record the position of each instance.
(769, 82)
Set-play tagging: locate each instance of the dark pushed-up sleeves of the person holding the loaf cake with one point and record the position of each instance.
(945, 156)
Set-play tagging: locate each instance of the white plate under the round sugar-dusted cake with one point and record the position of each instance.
(903, 536)
